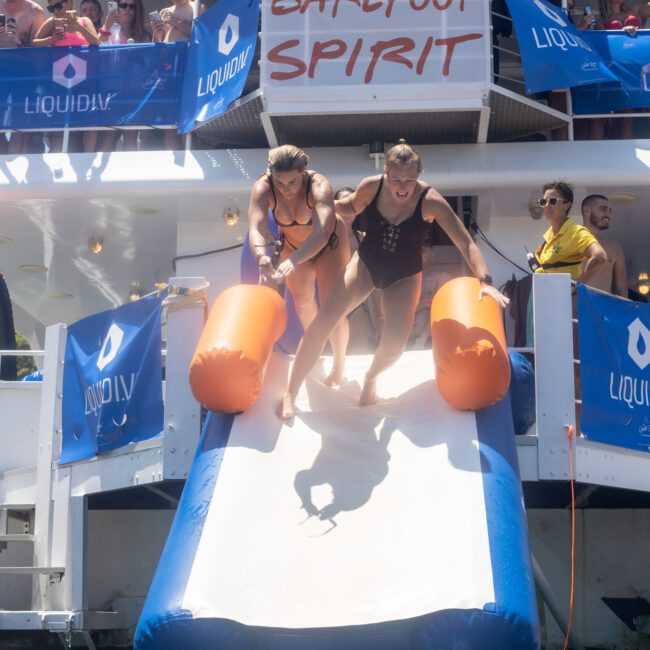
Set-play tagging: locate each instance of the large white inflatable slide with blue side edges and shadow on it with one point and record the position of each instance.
(399, 525)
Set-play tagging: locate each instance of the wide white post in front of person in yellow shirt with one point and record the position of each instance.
(554, 378)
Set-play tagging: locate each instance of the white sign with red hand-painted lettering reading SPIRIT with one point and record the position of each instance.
(319, 43)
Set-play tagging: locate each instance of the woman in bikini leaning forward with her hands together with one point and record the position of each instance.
(314, 241)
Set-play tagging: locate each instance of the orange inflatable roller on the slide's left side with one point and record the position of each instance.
(227, 369)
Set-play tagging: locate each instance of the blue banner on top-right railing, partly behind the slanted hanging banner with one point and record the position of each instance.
(629, 58)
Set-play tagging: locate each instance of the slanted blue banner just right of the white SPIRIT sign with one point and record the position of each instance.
(555, 54)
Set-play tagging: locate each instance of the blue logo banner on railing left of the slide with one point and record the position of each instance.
(112, 380)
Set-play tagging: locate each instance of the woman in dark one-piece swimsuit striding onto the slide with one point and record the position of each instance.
(396, 209)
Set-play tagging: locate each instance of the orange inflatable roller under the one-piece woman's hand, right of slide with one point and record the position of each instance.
(469, 346)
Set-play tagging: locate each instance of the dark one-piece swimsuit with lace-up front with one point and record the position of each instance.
(392, 252)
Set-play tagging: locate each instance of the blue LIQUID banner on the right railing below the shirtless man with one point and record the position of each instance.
(614, 337)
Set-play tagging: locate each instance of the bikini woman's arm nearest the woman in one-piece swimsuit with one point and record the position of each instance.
(323, 225)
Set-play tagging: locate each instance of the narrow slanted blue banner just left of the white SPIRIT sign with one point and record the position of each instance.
(221, 53)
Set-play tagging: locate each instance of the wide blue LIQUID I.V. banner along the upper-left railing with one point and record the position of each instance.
(55, 87)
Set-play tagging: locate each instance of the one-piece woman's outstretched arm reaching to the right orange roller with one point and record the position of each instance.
(435, 207)
